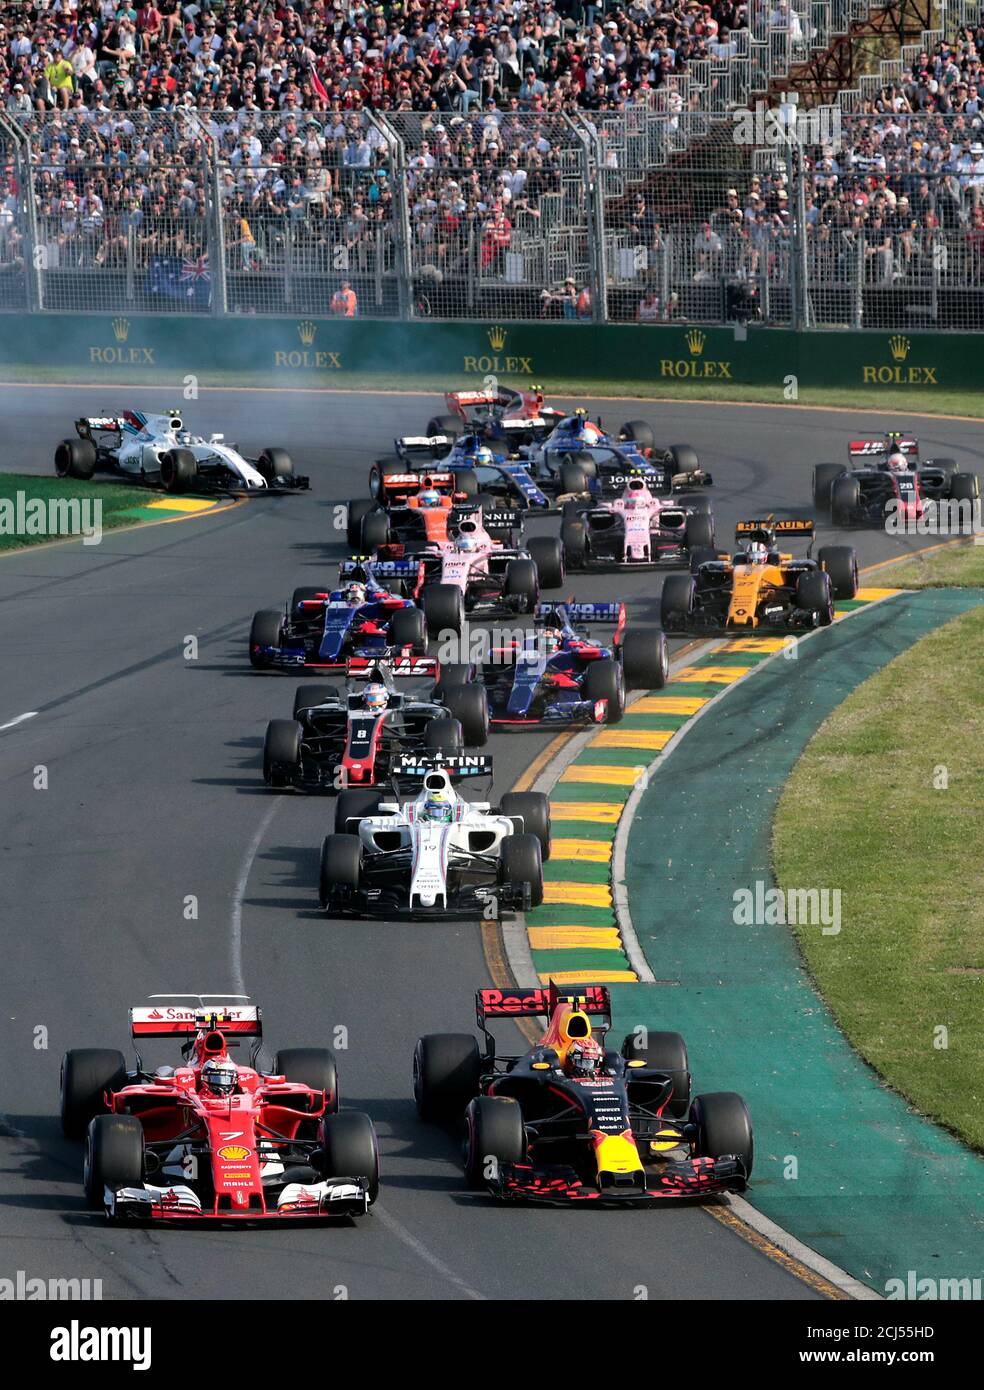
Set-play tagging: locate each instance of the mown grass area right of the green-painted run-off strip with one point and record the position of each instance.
(893, 818)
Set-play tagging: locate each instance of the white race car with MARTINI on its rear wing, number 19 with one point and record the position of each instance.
(436, 856)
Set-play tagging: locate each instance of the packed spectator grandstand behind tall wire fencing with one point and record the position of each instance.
(534, 161)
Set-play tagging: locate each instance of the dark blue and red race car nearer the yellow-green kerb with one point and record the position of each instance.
(559, 675)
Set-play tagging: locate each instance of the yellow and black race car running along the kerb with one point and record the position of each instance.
(760, 586)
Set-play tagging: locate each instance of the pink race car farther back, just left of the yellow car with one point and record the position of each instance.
(636, 529)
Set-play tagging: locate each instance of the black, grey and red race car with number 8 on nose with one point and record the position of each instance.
(340, 740)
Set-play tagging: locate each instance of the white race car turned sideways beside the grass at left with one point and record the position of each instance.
(158, 451)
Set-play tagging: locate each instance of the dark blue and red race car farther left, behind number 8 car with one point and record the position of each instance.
(323, 629)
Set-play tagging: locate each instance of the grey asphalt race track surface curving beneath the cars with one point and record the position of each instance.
(155, 793)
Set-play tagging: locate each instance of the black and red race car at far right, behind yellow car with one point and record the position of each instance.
(887, 477)
